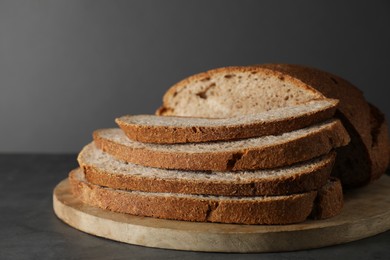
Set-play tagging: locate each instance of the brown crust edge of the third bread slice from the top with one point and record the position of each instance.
(307, 180)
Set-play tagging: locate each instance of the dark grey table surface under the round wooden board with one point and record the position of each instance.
(30, 230)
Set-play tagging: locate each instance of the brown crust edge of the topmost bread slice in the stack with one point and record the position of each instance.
(177, 134)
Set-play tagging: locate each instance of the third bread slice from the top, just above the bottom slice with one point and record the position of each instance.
(102, 169)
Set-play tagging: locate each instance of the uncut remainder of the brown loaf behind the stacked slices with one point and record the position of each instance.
(233, 91)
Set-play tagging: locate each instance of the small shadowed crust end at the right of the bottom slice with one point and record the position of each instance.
(329, 201)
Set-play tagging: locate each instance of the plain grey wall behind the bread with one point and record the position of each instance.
(69, 67)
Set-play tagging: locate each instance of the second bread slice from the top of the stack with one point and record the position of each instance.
(248, 154)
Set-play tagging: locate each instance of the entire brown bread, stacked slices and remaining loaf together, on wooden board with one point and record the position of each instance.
(246, 145)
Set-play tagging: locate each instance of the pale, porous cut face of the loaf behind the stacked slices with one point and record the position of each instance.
(235, 91)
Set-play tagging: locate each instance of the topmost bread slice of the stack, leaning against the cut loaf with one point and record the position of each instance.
(157, 129)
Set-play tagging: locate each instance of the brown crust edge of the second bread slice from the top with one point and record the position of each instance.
(301, 149)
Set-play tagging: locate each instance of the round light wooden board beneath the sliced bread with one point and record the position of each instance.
(366, 213)
